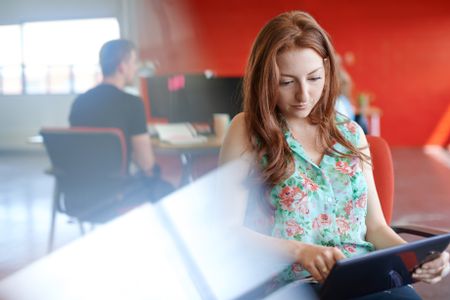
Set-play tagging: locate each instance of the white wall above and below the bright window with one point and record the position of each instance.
(23, 116)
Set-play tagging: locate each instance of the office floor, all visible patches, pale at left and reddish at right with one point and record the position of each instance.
(422, 197)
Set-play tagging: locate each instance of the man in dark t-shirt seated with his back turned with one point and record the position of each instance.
(107, 105)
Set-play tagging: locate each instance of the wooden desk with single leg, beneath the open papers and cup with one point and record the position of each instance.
(187, 153)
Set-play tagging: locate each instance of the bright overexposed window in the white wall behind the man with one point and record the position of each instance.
(54, 57)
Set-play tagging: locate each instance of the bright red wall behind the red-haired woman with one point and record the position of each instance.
(401, 49)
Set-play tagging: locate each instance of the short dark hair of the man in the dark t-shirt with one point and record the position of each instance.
(113, 53)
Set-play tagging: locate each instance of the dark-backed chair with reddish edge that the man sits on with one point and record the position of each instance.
(90, 170)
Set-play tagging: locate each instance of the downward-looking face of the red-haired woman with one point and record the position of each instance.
(301, 82)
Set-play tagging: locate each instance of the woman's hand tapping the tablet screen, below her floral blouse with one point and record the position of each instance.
(318, 260)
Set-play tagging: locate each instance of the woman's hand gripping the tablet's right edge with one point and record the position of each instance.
(433, 271)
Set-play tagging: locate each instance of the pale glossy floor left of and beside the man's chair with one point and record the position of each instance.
(25, 202)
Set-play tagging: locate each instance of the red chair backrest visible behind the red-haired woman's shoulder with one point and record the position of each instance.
(383, 172)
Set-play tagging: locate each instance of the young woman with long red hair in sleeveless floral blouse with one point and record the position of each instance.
(314, 162)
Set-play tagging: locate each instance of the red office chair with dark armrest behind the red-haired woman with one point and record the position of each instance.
(383, 172)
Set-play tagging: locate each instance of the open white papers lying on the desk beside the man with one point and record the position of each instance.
(178, 133)
